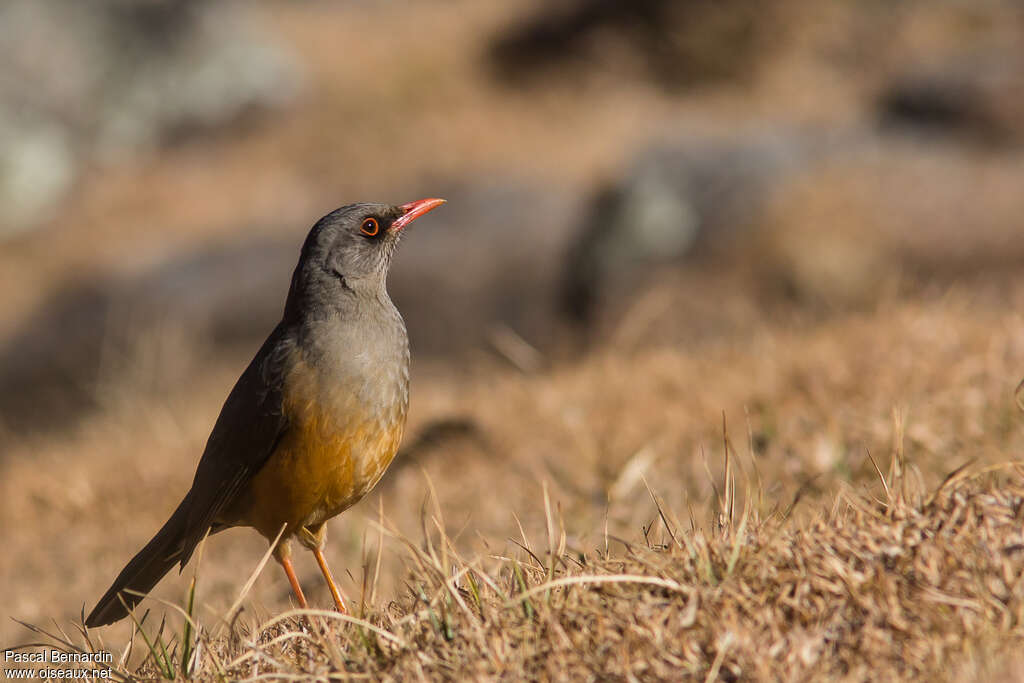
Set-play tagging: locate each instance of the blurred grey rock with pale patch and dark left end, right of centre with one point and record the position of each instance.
(673, 199)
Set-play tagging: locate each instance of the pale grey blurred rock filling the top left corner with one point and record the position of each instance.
(101, 81)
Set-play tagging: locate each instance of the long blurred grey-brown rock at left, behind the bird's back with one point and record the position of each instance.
(144, 333)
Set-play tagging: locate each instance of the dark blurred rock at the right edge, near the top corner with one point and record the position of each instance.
(979, 98)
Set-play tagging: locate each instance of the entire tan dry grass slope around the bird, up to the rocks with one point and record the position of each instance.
(530, 545)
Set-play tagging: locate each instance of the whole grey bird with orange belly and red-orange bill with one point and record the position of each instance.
(315, 420)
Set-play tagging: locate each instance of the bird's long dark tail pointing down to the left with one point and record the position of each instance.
(143, 573)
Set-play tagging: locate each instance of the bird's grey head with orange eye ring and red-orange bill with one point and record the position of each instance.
(348, 254)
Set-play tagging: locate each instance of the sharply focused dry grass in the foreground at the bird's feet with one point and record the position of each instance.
(910, 586)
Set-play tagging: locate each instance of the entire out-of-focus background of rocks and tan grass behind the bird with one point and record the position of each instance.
(631, 186)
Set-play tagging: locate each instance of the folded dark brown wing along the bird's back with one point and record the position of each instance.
(248, 430)
